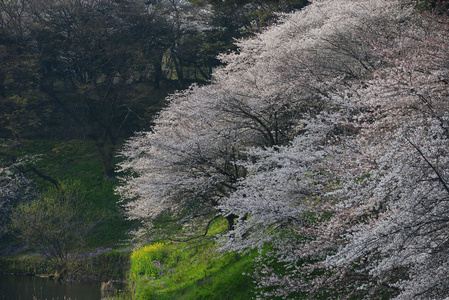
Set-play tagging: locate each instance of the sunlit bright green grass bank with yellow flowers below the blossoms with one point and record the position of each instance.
(181, 271)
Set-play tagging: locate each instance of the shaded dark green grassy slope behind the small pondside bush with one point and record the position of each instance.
(76, 160)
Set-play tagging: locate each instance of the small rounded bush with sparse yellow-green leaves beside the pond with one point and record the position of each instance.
(58, 223)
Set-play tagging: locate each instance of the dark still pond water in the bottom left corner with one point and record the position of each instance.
(34, 288)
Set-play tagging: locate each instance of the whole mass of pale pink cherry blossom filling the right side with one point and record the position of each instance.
(324, 137)
